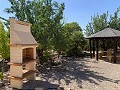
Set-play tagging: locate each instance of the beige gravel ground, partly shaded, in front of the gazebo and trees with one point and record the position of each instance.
(84, 74)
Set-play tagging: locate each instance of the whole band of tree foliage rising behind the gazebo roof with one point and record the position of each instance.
(100, 22)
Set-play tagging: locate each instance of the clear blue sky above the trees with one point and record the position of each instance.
(79, 11)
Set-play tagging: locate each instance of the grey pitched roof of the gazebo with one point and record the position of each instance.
(108, 32)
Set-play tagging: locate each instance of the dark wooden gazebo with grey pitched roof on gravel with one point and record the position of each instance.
(103, 35)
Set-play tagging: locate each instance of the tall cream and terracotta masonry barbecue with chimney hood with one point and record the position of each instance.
(22, 53)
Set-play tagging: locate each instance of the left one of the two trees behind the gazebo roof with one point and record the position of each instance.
(98, 22)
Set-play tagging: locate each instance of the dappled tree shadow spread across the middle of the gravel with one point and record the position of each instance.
(72, 69)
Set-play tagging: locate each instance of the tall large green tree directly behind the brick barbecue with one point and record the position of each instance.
(46, 19)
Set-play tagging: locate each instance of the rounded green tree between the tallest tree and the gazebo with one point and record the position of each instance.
(74, 38)
